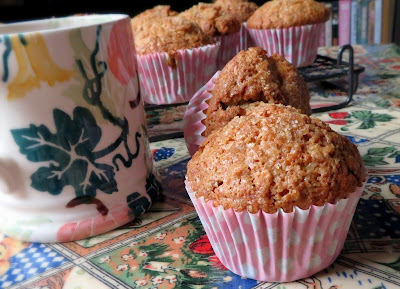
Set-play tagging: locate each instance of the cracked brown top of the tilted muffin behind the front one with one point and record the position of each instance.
(253, 76)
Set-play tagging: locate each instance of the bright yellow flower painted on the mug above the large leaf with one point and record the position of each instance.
(34, 66)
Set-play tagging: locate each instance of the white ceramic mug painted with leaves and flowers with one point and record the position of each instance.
(74, 155)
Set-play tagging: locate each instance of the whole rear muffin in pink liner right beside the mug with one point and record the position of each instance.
(175, 59)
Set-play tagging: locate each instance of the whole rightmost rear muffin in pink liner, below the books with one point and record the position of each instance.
(291, 28)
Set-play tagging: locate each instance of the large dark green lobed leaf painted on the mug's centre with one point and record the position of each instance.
(68, 154)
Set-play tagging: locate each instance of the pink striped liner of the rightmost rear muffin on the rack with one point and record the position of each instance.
(299, 45)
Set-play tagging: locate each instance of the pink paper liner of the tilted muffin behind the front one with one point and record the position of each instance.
(193, 126)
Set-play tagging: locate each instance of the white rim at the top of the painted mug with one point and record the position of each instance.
(44, 25)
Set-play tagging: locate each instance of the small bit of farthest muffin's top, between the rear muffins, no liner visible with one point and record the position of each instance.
(240, 9)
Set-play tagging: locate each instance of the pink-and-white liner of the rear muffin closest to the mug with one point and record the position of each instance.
(163, 84)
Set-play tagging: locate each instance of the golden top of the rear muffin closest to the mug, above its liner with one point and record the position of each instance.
(170, 34)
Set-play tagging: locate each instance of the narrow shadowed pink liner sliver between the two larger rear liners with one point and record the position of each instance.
(230, 46)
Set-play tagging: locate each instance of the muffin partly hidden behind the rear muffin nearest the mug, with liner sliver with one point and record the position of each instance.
(214, 21)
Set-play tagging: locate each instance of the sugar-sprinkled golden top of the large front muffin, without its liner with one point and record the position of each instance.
(275, 157)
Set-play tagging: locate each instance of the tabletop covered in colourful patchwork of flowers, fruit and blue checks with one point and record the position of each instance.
(170, 233)
